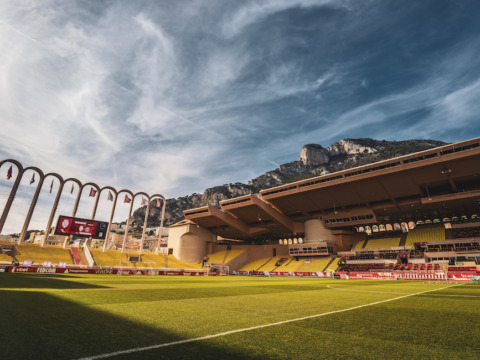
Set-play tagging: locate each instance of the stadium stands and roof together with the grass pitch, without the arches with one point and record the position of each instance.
(304, 260)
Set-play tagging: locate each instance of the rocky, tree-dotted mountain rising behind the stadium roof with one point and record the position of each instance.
(314, 160)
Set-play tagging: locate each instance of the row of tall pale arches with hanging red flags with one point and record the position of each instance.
(95, 191)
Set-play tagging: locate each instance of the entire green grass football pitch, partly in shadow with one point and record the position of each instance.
(155, 317)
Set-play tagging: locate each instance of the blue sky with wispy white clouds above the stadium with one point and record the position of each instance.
(176, 96)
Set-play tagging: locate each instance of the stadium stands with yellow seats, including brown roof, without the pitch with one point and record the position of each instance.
(418, 212)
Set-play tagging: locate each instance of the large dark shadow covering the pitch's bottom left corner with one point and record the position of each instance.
(38, 325)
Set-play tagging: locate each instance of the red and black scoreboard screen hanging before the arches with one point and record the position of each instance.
(67, 225)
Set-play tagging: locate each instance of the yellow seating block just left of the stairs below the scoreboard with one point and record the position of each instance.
(38, 254)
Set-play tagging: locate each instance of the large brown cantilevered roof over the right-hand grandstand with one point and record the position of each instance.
(435, 183)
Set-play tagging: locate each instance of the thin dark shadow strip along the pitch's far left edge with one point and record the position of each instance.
(48, 281)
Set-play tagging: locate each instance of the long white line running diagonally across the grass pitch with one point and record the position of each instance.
(122, 352)
